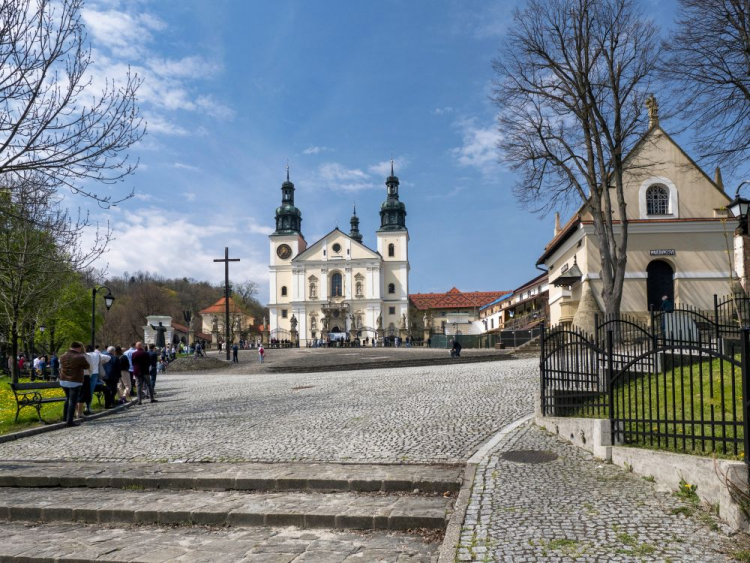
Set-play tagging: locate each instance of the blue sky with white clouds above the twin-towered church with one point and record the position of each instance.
(233, 89)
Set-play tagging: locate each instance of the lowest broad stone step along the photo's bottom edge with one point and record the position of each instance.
(48, 543)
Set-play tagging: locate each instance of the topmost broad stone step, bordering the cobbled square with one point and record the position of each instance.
(236, 476)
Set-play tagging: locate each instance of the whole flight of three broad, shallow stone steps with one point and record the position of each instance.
(204, 512)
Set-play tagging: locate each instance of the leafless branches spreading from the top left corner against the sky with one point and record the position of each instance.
(50, 120)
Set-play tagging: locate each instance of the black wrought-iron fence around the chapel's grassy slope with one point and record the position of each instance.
(677, 381)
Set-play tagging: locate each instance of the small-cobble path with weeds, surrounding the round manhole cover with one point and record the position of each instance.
(577, 509)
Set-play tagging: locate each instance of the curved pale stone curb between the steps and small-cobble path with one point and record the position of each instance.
(449, 549)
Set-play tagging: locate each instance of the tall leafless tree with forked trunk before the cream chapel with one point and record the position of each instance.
(572, 79)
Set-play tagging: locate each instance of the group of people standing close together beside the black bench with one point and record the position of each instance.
(119, 372)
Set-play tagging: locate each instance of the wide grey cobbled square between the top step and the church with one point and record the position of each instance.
(401, 415)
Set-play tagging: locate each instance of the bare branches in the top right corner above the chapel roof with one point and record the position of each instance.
(707, 59)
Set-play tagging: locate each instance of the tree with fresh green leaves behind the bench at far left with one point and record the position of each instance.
(40, 248)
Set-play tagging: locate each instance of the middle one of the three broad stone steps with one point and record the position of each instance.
(368, 511)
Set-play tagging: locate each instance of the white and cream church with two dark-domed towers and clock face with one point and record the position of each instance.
(337, 287)
